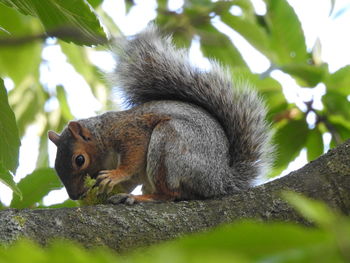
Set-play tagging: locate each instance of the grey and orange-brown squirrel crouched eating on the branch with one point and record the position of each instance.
(190, 133)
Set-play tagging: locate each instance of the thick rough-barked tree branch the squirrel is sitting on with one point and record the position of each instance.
(123, 227)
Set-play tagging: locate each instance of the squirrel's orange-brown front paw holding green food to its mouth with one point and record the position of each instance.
(108, 179)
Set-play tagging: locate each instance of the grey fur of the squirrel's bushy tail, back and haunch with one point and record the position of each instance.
(225, 139)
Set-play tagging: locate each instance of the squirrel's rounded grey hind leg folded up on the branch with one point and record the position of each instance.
(185, 161)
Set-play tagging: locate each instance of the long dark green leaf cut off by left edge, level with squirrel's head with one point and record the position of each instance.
(9, 138)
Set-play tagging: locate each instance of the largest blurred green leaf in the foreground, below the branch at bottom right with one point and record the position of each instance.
(247, 242)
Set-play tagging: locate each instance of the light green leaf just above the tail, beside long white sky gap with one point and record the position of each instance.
(218, 46)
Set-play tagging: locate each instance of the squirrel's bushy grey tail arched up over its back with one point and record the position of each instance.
(150, 68)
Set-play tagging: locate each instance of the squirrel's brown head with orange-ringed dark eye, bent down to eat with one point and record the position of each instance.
(77, 156)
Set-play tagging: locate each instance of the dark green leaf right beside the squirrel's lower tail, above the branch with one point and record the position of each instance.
(295, 131)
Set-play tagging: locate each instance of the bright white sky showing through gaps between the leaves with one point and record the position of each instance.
(332, 32)
